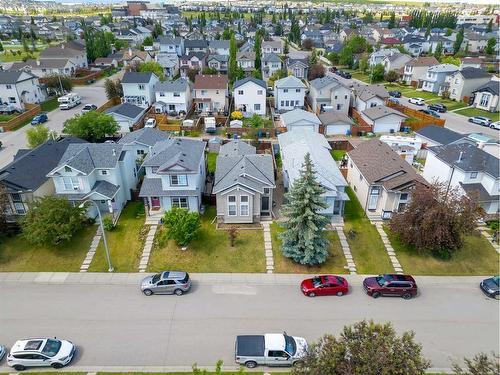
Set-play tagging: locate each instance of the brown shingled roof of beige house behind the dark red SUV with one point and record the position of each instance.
(380, 165)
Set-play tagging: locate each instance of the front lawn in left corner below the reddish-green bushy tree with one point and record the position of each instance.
(16, 255)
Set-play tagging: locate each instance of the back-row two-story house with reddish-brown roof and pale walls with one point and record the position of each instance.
(211, 93)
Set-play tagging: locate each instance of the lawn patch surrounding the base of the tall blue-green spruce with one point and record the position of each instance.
(334, 264)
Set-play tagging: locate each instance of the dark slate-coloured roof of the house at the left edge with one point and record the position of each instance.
(28, 170)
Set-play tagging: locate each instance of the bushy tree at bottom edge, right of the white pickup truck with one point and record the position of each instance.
(365, 348)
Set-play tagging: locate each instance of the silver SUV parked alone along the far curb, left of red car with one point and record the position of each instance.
(166, 282)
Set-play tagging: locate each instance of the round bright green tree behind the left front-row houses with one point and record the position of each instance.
(92, 126)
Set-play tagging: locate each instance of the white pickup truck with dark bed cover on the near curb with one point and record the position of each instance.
(271, 349)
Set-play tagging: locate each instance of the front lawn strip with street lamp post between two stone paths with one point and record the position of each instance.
(125, 242)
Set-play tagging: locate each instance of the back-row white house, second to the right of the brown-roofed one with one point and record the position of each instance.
(289, 93)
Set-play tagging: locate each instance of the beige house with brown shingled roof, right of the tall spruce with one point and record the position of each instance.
(382, 181)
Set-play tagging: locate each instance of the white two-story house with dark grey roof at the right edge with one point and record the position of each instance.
(468, 168)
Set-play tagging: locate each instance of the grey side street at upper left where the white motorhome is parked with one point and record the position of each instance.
(13, 141)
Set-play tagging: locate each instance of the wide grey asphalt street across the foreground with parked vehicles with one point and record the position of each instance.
(115, 325)
